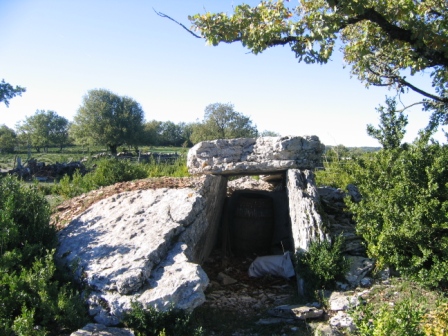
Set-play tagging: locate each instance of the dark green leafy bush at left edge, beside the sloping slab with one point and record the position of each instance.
(33, 298)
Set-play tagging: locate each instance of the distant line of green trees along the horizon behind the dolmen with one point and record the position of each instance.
(107, 119)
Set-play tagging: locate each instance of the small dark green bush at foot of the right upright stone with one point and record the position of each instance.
(322, 264)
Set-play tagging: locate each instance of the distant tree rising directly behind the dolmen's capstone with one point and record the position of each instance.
(221, 121)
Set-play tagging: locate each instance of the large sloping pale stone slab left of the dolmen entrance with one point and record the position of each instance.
(144, 246)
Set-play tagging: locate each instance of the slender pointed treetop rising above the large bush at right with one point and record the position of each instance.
(392, 126)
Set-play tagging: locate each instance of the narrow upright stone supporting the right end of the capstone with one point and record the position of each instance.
(305, 209)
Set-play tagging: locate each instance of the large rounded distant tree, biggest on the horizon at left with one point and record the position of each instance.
(108, 119)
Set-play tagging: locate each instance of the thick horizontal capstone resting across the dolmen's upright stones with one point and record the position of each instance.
(254, 156)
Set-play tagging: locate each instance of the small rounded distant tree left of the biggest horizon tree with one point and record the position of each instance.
(43, 129)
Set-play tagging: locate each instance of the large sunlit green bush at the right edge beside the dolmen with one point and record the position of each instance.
(403, 215)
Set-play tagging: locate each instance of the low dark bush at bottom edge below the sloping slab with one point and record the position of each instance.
(151, 322)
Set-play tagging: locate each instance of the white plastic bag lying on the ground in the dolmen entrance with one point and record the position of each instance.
(277, 265)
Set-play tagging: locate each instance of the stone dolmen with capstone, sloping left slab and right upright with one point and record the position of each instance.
(147, 246)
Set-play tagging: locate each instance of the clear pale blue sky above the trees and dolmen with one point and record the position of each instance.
(60, 49)
